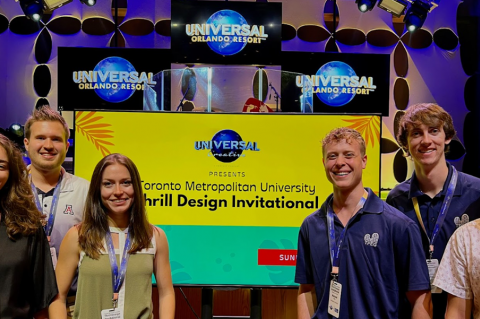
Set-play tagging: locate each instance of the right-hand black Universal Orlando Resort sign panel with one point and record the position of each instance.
(342, 83)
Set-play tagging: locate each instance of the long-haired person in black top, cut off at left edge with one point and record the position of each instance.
(27, 278)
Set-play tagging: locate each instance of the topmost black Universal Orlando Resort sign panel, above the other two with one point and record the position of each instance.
(226, 32)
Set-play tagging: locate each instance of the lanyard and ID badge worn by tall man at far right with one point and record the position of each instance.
(433, 263)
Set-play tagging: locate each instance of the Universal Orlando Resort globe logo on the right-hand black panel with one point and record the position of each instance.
(336, 83)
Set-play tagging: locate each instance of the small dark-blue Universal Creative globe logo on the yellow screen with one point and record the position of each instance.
(227, 146)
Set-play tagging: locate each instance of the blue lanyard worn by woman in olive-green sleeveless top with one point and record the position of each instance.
(117, 277)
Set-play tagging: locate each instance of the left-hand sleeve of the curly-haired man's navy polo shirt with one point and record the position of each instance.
(303, 270)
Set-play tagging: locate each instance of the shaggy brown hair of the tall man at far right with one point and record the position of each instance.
(429, 114)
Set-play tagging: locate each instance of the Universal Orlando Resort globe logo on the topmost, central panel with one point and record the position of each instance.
(226, 32)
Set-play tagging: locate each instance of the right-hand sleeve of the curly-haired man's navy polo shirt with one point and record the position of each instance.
(412, 270)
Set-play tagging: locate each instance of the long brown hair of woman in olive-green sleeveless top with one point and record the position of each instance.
(94, 227)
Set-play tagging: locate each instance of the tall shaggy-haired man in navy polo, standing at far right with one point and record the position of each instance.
(437, 197)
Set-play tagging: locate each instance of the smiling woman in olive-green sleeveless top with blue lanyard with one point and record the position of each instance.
(116, 251)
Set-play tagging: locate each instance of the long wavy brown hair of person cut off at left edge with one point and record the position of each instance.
(21, 215)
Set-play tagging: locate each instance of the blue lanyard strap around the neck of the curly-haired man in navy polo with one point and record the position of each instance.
(334, 248)
